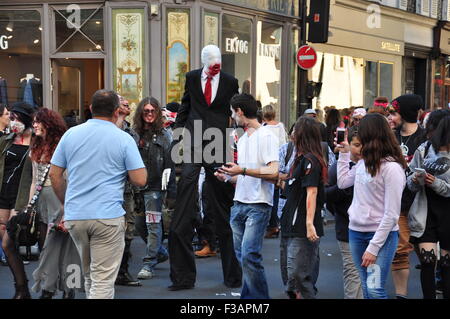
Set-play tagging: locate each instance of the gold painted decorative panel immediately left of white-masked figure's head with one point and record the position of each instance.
(177, 53)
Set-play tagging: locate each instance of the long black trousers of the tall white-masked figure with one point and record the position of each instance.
(220, 199)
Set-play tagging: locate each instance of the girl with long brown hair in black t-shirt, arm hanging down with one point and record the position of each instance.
(301, 221)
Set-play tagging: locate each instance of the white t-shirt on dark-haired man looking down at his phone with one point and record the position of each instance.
(256, 151)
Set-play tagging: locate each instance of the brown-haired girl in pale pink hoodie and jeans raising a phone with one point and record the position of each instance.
(378, 180)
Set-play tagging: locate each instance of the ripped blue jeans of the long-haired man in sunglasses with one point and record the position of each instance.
(153, 202)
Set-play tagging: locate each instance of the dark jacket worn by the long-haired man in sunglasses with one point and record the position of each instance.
(155, 153)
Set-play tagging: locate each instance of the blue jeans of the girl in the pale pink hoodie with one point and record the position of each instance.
(373, 278)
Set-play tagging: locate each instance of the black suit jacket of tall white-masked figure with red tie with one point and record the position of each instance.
(194, 106)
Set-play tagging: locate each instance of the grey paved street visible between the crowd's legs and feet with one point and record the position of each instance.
(209, 276)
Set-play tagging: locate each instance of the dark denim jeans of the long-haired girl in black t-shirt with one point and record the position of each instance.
(302, 266)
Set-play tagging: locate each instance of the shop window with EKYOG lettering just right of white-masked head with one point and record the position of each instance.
(237, 49)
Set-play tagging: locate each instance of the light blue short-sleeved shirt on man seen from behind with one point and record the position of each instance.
(97, 156)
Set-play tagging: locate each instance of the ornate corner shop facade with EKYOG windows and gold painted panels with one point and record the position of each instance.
(139, 48)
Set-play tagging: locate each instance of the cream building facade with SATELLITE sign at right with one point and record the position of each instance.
(383, 48)
